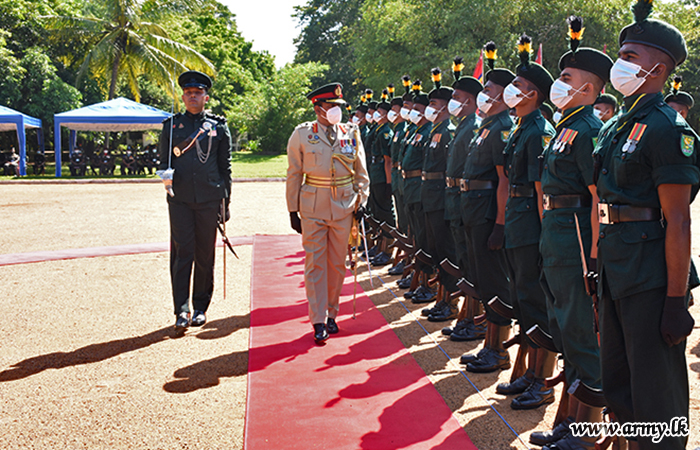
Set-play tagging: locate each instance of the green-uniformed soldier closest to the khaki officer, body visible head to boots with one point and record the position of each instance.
(380, 198)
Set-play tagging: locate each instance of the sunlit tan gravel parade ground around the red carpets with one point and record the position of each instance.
(89, 359)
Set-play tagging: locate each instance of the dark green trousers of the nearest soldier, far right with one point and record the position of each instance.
(644, 380)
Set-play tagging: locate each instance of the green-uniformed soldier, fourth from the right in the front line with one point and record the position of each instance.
(484, 192)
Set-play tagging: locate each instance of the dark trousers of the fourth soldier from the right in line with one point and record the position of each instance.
(489, 268)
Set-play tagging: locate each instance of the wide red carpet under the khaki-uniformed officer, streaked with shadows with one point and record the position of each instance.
(362, 390)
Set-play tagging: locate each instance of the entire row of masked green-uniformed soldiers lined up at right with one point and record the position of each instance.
(518, 216)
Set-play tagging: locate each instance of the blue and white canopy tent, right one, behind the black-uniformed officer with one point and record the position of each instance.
(119, 114)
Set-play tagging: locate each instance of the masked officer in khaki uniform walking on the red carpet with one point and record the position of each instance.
(326, 183)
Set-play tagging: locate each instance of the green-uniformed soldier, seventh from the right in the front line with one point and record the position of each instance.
(411, 171)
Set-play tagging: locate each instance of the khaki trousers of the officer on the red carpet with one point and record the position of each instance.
(326, 246)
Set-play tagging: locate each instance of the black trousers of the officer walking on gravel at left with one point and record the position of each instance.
(192, 240)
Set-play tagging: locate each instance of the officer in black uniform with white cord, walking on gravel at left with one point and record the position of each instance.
(200, 154)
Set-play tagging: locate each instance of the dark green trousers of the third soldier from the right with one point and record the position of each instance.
(529, 302)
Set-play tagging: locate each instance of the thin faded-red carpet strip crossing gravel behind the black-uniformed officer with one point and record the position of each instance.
(93, 252)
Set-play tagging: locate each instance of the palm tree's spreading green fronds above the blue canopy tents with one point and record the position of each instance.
(129, 42)
